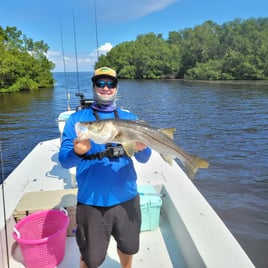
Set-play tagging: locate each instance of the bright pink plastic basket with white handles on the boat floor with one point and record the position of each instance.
(41, 237)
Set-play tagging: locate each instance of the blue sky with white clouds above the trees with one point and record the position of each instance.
(117, 21)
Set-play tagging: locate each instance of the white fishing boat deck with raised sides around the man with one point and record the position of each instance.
(190, 233)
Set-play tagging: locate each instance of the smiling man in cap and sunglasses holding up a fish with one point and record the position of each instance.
(108, 202)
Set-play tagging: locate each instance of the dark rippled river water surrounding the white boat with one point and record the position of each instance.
(227, 124)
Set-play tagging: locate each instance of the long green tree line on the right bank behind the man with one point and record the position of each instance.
(236, 50)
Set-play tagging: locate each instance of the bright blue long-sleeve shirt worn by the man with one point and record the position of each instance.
(104, 182)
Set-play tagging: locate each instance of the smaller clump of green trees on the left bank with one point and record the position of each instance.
(23, 64)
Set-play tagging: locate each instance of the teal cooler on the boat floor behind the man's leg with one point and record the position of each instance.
(150, 203)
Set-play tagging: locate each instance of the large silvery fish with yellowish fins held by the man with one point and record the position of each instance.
(128, 132)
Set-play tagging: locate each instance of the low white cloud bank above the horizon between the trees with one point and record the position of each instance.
(85, 62)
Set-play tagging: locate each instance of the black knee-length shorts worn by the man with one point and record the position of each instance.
(95, 225)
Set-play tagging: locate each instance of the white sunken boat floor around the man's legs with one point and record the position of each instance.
(157, 249)
